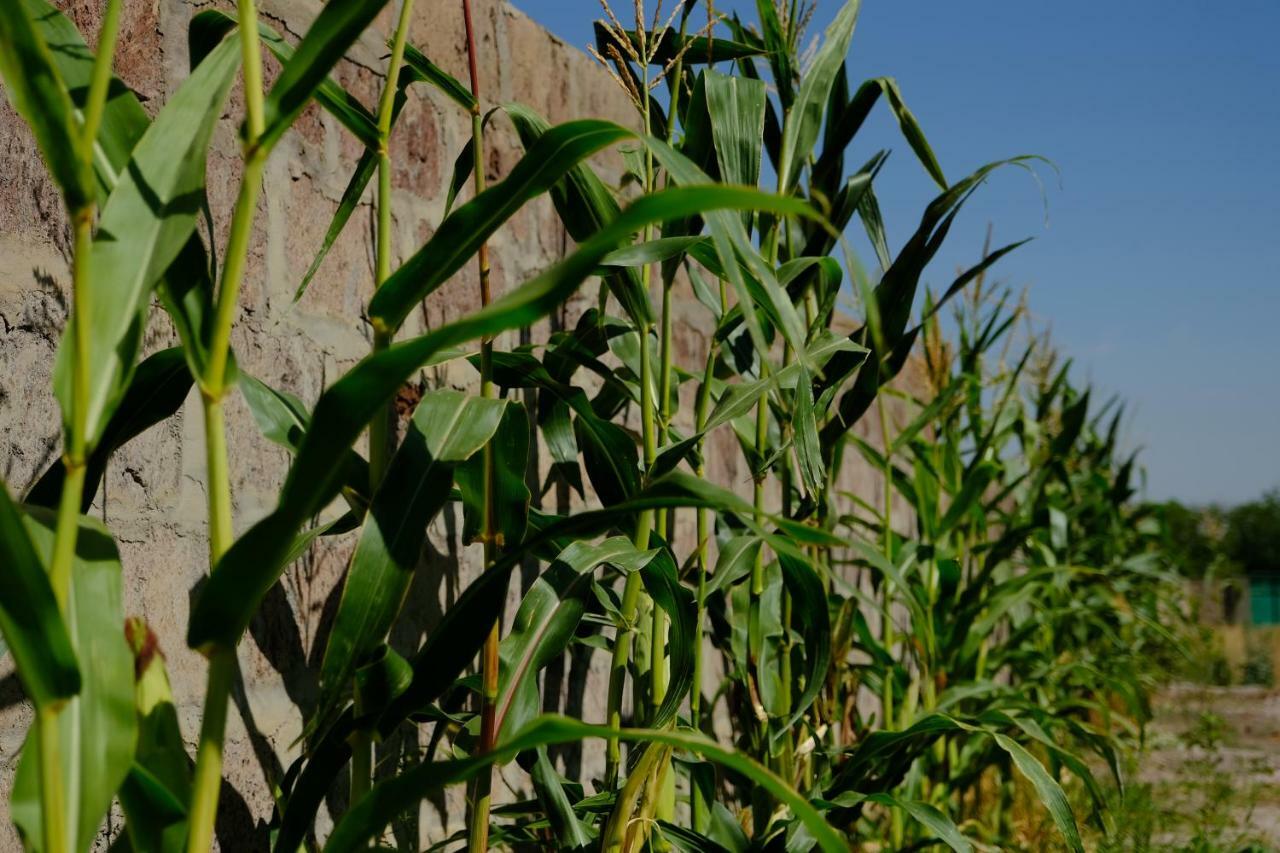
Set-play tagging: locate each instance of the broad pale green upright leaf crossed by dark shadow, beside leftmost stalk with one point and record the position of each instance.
(145, 223)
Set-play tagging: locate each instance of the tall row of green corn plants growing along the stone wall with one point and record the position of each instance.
(998, 632)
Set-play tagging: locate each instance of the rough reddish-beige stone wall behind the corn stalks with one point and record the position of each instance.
(154, 492)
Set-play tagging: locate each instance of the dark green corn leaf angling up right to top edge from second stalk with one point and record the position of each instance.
(307, 74)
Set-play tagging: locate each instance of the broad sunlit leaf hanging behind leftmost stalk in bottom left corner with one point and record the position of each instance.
(98, 729)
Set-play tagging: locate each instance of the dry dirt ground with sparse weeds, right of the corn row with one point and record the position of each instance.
(1210, 779)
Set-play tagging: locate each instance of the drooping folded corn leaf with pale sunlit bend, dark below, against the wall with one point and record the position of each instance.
(449, 428)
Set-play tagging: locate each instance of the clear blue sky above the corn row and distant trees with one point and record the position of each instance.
(1159, 268)
